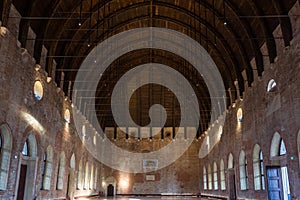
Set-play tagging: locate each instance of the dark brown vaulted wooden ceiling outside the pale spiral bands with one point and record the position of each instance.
(232, 32)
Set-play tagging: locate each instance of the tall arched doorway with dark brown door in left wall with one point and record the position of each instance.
(27, 169)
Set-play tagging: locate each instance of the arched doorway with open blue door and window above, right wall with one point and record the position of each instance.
(277, 173)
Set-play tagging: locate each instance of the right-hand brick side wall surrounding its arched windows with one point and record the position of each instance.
(265, 113)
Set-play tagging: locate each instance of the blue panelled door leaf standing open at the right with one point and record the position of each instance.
(274, 183)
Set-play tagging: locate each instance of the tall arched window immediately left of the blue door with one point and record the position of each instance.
(258, 169)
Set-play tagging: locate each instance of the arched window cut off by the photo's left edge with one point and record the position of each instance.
(5, 153)
